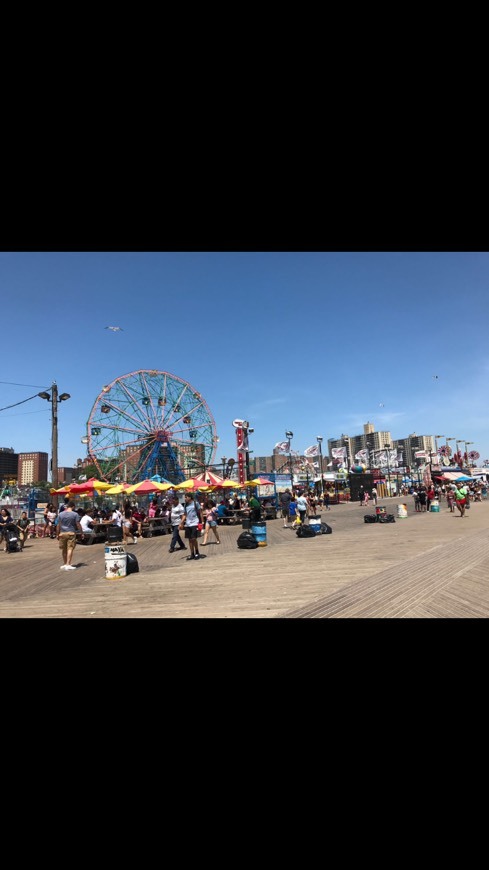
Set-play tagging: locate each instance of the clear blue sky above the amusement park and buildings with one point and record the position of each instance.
(314, 342)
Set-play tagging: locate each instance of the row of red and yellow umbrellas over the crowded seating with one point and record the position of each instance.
(207, 483)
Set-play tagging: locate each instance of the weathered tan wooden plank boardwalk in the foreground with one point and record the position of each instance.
(425, 566)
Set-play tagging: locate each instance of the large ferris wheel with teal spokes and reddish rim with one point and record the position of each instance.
(147, 423)
